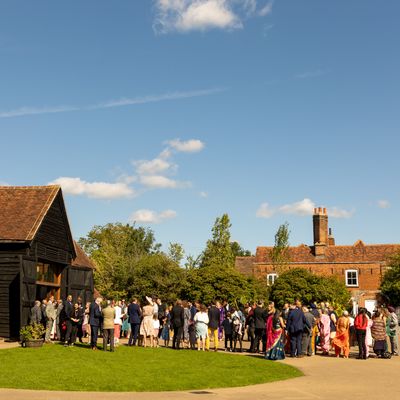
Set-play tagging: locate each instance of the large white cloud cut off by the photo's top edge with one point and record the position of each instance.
(201, 15)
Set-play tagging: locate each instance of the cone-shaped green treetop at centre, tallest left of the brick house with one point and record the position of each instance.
(218, 250)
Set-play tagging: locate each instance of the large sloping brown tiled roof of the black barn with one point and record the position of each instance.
(22, 209)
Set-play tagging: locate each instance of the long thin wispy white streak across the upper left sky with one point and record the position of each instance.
(23, 111)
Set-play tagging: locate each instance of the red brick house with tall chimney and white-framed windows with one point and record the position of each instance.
(360, 266)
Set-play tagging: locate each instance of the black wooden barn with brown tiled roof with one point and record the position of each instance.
(38, 256)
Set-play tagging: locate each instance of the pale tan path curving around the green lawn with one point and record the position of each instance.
(325, 378)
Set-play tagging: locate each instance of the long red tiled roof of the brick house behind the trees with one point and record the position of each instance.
(359, 252)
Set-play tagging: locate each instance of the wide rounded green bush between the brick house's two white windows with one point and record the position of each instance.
(303, 285)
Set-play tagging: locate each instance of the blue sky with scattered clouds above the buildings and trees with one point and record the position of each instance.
(172, 112)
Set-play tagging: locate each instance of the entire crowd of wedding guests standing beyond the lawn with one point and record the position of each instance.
(295, 330)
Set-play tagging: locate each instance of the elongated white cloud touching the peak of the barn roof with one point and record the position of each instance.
(98, 190)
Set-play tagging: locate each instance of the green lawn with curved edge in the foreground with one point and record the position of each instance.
(54, 367)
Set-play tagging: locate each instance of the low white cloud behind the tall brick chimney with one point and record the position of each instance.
(301, 208)
